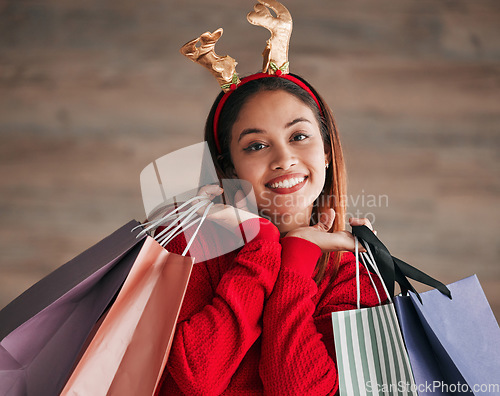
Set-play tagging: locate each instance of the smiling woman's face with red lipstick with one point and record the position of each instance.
(276, 145)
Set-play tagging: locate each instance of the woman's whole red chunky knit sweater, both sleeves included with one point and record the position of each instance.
(254, 321)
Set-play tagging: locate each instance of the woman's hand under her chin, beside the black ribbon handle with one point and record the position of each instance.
(328, 241)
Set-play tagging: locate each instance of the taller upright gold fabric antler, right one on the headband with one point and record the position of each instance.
(276, 52)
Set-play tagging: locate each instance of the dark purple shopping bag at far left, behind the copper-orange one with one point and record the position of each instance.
(43, 330)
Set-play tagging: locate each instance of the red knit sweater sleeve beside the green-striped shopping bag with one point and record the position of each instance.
(296, 355)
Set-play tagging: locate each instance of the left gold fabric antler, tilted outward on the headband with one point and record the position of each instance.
(223, 68)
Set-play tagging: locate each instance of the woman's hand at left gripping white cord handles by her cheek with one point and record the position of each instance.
(226, 215)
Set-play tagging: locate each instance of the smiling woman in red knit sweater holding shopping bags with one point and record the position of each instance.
(258, 320)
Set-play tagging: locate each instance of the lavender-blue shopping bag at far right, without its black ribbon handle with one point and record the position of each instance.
(454, 345)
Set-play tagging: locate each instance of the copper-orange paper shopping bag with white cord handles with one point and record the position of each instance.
(129, 352)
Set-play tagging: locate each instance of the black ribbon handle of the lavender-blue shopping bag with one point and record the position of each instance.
(393, 269)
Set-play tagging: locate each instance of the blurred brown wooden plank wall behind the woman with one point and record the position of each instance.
(92, 91)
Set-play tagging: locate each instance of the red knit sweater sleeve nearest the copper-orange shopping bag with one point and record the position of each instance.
(209, 346)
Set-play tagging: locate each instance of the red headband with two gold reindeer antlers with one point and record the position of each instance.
(224, 68)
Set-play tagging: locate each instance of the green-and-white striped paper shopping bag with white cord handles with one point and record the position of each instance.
(371, 357)
